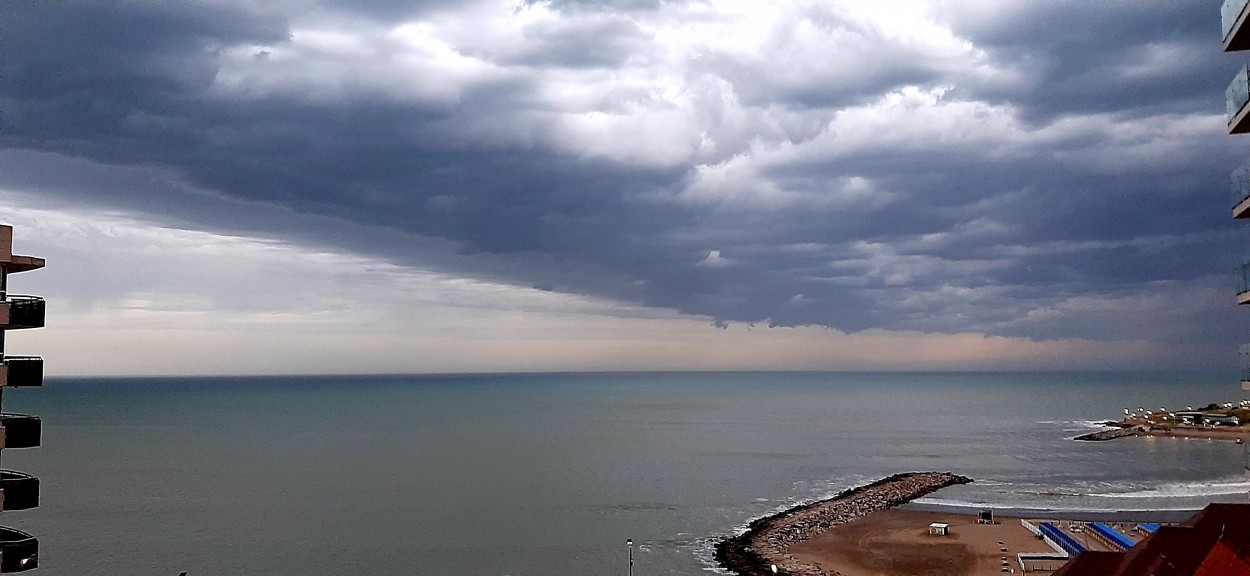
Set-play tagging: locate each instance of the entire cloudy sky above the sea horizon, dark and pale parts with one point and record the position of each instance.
(333, 187)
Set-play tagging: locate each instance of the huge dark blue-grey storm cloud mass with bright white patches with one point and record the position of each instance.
(1056, 171)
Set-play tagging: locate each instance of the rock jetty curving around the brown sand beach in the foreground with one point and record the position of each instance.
(768, 540)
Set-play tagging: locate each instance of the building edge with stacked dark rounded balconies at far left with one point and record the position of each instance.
(19, 552)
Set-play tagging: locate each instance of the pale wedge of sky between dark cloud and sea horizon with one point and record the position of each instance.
(153, 300)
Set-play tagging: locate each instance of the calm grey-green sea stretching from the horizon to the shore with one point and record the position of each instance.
(549, 474)
